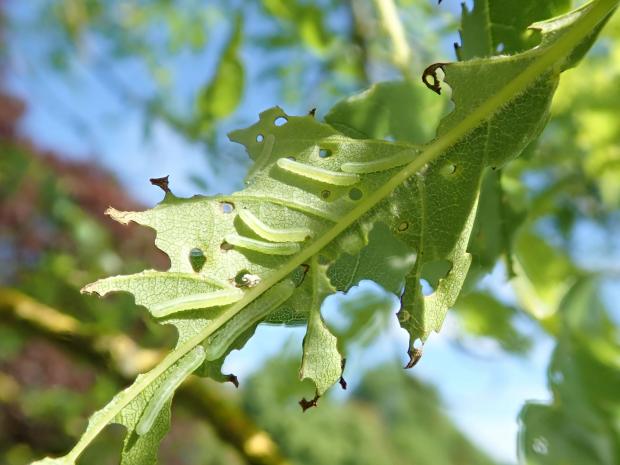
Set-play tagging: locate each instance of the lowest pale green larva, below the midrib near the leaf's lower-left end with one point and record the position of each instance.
(186, 366)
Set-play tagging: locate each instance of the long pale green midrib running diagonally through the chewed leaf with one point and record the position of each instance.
(550, 59)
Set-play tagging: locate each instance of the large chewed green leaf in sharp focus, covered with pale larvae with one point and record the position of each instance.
(313, 195)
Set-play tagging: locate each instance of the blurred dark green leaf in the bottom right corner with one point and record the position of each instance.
(581, 425)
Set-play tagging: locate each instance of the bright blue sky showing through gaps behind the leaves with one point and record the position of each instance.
(483, 393)
